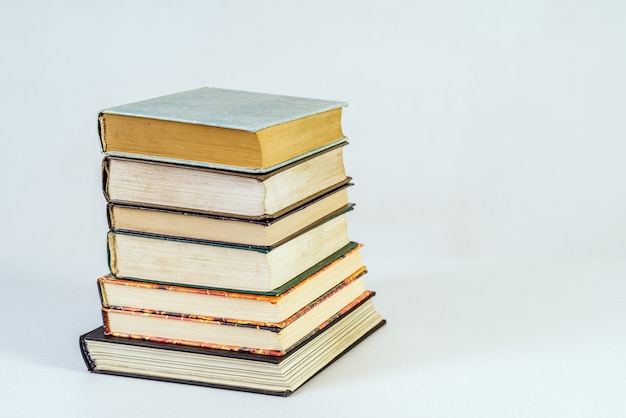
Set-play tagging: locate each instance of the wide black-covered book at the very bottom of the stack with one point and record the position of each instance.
(275, 375)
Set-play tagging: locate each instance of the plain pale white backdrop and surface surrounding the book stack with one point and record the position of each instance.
(487, 147)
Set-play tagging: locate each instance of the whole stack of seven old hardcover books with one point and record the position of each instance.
(230, 262)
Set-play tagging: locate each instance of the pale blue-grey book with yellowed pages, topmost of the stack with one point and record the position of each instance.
(224, 129)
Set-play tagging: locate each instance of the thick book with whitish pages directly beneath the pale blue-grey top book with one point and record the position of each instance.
(205, 190)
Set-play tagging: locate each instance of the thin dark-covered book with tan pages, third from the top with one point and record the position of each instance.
(246, 232)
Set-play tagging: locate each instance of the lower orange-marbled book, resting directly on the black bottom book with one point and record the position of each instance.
(273, 338)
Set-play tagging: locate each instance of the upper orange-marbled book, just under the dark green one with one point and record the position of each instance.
(122, 293)
